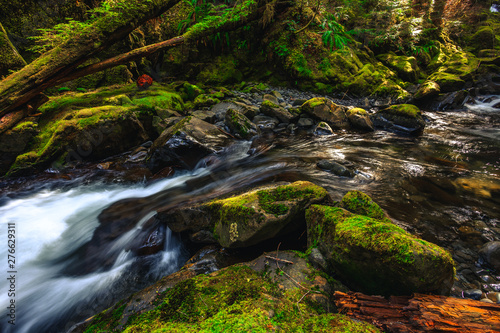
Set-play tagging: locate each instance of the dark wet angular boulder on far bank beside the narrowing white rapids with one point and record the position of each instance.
(185, 144)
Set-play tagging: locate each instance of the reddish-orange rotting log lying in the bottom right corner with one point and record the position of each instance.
(421, 313)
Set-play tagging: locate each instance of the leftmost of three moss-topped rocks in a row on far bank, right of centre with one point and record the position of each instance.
(325, 110)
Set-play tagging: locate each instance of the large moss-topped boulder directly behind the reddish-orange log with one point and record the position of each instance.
(375, 256)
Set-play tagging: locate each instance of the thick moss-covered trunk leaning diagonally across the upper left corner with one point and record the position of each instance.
(114, 24)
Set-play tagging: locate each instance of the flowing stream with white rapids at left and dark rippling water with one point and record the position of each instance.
(443, 186)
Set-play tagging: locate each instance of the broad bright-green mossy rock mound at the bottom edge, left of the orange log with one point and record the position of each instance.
(235, 299)
